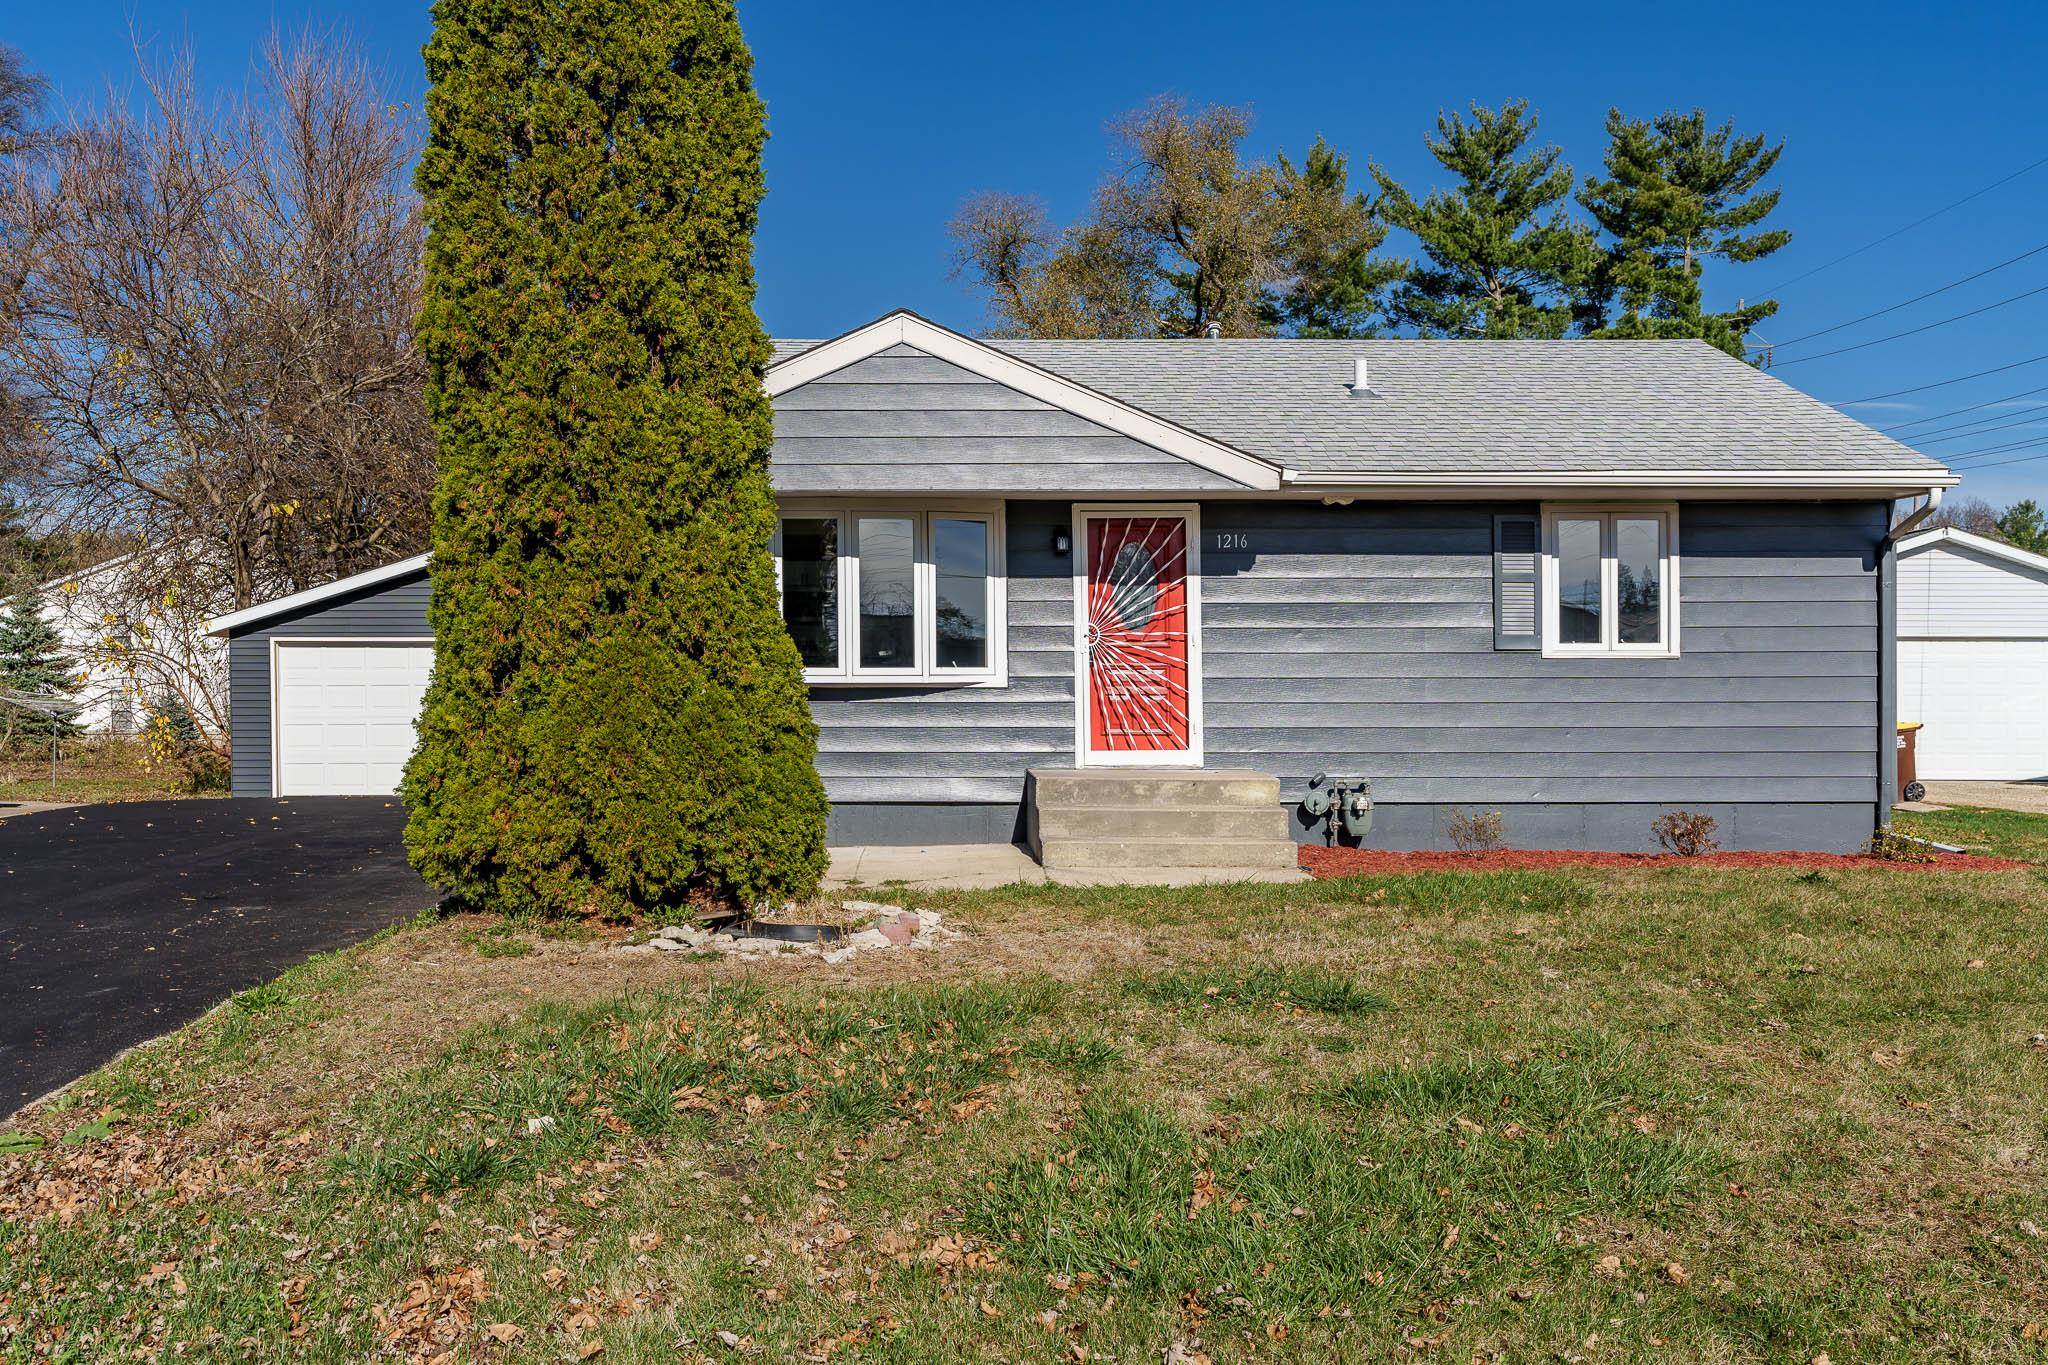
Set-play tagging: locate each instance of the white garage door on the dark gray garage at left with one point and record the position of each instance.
(345, 717)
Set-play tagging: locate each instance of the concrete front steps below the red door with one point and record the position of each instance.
(1160, 826)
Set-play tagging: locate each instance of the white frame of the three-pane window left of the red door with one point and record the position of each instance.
(921, 513)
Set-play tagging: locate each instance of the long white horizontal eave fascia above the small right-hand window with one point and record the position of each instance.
(1717, 482)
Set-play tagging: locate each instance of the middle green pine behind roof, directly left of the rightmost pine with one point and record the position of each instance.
(1504, 257)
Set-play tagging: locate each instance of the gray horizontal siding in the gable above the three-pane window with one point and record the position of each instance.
(908, 421)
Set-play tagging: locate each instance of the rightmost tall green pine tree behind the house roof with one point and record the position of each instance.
(1680, 193)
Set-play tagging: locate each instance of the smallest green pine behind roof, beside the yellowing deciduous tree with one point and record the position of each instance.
(1336, 285)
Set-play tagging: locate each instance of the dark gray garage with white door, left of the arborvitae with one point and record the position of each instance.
(327, 685)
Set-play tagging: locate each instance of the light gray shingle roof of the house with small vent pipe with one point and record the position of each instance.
(1478, 406)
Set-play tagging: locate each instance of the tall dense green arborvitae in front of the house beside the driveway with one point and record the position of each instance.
(617, 717)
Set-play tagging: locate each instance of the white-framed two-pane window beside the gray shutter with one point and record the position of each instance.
(1611, 580)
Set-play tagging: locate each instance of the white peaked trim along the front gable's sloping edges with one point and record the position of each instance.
(1025, 378)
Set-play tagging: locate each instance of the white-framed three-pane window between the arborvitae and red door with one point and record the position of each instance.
(894, 595)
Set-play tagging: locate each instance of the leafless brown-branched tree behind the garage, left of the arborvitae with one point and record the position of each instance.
(214, 333)
